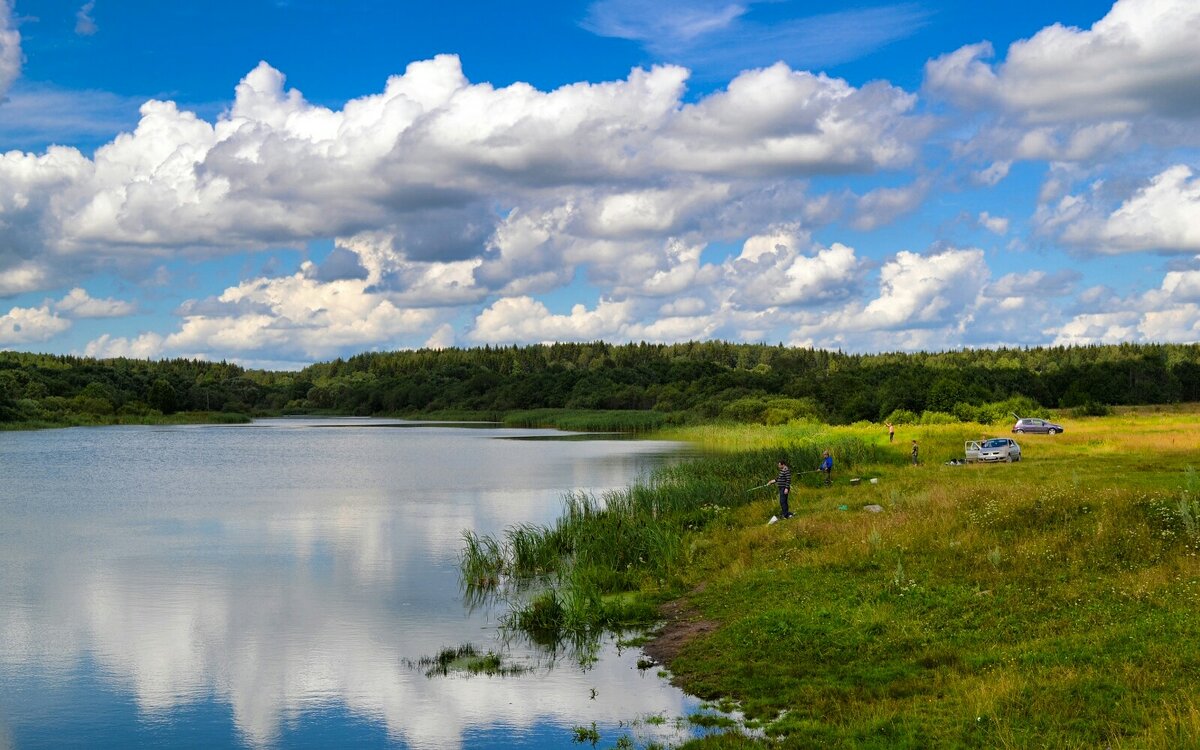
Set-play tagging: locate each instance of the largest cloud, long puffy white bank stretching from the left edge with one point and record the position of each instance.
(587, 166)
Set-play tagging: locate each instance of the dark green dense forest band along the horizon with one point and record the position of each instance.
(701, 381)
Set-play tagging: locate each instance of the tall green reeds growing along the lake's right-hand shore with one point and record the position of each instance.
(633, 541)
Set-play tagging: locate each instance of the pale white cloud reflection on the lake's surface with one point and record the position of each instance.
(280, 604)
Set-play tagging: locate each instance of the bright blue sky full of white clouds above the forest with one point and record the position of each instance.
(277, 183)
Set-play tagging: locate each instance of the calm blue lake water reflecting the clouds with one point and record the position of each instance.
(272, 585)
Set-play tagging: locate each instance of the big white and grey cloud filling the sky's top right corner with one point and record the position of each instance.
(1090, 97)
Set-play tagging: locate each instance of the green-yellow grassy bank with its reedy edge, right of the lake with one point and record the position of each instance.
(1049, 603)
